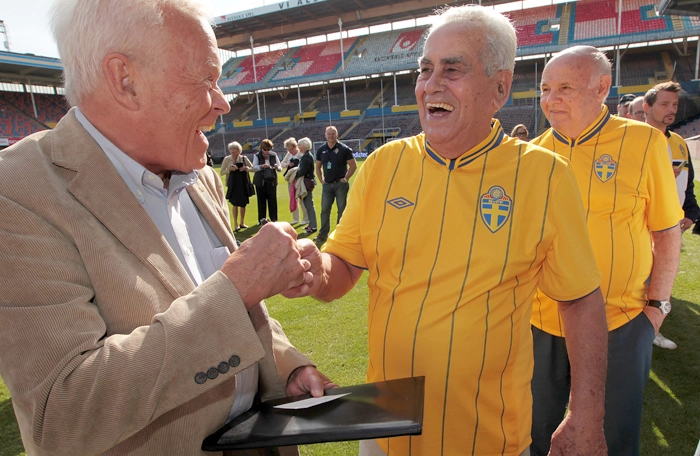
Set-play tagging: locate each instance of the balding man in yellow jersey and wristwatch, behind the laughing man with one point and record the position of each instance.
(624, 174)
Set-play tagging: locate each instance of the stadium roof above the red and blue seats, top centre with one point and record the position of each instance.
(295, 19)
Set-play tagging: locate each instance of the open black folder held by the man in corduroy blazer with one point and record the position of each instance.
(372, 410)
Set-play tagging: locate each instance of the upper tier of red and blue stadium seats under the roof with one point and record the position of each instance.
(541, 29)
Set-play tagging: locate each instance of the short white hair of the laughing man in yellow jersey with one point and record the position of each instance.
(501, 42)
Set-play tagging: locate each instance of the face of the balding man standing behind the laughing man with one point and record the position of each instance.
(572, 93)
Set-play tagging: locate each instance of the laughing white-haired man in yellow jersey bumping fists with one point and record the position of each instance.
(457, 227)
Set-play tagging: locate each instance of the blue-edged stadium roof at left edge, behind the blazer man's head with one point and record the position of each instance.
(29, 68)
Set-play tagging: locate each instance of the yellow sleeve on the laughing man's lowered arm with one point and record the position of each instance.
(570, 270)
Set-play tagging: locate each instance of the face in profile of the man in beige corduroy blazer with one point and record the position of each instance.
(181, 97)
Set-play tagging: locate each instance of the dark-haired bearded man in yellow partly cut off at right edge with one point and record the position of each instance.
(660, 106)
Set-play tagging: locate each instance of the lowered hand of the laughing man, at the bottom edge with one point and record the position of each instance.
(578, 438)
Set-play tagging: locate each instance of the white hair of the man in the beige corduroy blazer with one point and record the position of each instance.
(87, 30)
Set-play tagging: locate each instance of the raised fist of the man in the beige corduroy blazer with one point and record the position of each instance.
(267, 264)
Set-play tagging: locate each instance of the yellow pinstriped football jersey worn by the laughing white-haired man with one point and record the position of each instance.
(455, 251)
